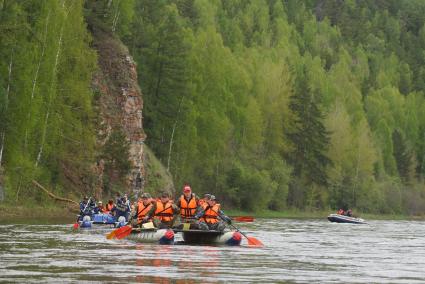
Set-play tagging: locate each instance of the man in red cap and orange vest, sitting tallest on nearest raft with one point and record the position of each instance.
(187, 203)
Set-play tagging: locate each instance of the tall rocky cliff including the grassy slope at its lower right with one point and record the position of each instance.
(119, 103)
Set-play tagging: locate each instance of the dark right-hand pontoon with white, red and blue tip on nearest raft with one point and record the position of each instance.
(232, 238)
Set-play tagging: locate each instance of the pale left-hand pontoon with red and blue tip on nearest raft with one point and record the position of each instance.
(160, 236)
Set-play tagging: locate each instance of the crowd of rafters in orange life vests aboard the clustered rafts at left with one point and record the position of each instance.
(189, 211)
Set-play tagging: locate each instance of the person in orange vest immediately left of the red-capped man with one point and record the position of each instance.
(165, 212)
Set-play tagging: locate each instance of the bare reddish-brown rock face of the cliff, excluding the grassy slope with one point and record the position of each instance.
(120, 105)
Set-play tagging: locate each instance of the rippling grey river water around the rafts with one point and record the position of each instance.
(296, 251)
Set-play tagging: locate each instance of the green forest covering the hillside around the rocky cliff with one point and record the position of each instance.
(268, 104)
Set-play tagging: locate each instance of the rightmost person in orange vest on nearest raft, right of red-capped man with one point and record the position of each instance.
(211, 217)
